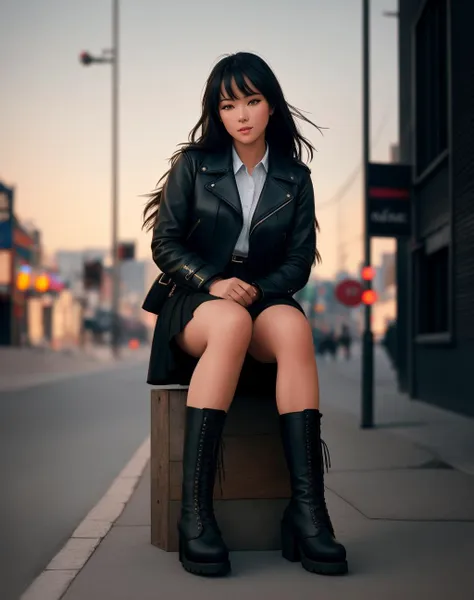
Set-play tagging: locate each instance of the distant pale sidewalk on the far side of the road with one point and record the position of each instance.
(26, 367)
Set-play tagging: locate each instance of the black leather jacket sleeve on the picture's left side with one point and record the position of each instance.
(168, 244)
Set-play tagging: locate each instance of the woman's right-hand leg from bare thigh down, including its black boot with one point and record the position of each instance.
(282, 333)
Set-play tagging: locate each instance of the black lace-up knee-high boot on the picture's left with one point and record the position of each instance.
(201, 548)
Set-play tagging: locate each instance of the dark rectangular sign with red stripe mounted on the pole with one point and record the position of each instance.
(389, 202)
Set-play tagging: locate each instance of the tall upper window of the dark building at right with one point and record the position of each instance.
(431, 76)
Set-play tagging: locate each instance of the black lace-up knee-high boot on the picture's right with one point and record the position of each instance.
(307, 531)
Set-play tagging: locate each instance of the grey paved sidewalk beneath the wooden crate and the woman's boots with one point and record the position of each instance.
(406, 518)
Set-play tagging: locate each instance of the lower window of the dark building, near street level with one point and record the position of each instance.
(433, 291)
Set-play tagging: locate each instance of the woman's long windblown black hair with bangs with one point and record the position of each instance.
(210, 135)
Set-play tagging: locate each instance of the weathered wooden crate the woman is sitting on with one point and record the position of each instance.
(256, 486)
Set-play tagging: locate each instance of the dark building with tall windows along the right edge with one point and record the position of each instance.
(435, 267)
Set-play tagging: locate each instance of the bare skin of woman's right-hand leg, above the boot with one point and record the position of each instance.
(283, 334)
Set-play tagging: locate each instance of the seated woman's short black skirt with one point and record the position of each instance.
(169, 364)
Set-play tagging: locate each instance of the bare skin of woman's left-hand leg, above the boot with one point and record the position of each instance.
(219, 334)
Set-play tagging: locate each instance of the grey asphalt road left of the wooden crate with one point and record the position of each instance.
(61, 446)
